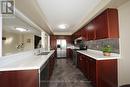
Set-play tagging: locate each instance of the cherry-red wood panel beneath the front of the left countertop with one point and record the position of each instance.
(25, 78)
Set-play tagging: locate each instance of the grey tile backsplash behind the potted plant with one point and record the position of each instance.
(98, 44)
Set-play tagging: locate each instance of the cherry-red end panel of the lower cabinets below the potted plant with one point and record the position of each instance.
(108, 73)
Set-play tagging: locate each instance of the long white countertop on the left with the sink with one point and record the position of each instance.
(28, 62)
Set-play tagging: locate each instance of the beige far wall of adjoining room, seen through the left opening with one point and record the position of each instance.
(13, 39)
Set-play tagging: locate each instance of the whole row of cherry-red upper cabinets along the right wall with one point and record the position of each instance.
(103, 26)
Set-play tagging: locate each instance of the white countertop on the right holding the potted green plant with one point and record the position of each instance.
(98, 55)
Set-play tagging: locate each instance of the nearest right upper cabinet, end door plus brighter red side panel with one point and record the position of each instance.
(106, 24)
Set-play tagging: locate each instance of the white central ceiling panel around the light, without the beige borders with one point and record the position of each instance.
(69, 12)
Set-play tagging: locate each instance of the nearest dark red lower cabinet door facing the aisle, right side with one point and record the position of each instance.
(92, 71)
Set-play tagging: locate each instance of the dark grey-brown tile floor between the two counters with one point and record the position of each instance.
(65, 74)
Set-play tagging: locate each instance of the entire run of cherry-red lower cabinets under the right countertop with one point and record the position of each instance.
(101, 73)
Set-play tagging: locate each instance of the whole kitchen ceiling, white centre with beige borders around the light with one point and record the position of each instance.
(48, 14)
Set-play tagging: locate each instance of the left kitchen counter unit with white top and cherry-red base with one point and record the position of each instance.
(26, 71)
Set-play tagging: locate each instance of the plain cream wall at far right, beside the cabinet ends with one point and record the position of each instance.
(124, 27)
